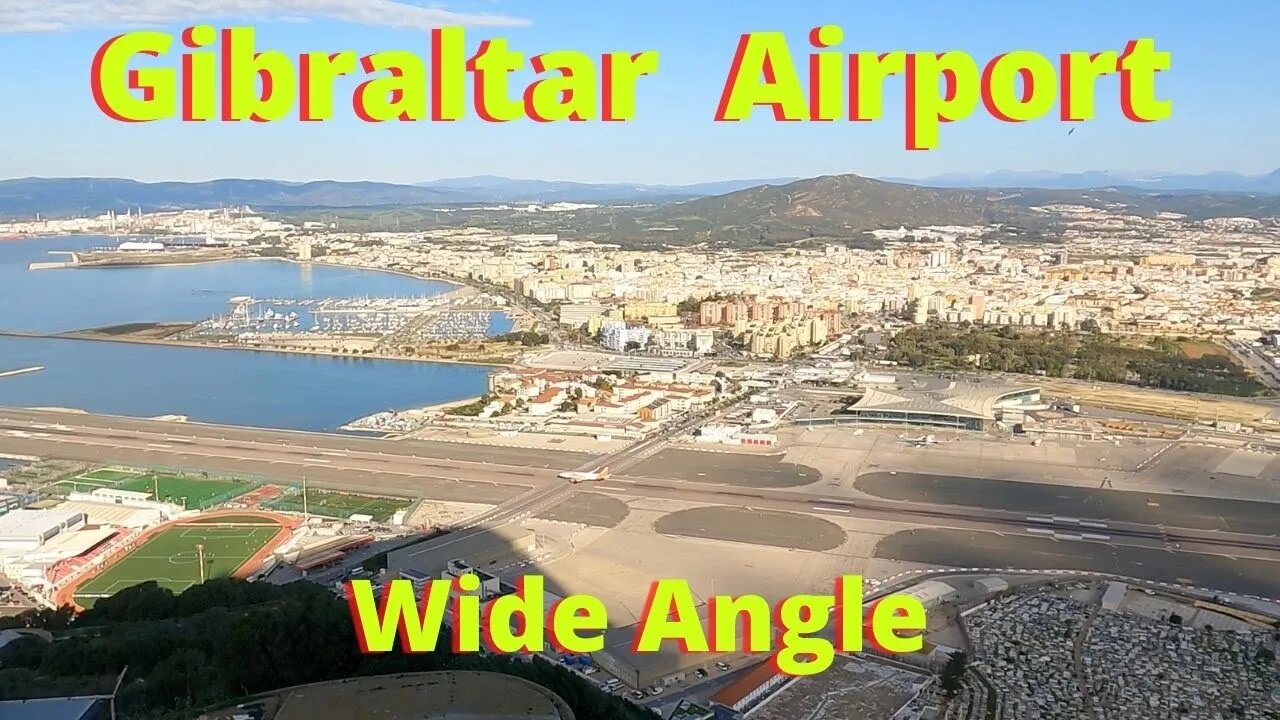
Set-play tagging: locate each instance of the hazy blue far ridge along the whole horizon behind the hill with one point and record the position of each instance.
(65, 197)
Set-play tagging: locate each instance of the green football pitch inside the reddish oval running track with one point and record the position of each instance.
(171, 558)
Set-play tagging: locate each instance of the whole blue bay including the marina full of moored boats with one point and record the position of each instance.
(312, 388)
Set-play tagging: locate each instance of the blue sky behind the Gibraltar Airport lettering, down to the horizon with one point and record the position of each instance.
(1223, 86)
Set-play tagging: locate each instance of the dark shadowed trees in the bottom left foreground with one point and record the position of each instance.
(237, 640)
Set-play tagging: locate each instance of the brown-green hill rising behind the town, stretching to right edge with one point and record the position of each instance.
(843, 208)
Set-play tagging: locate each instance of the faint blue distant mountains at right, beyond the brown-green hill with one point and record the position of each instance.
(1092, 180)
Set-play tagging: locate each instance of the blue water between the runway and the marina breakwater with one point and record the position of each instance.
(271, 390)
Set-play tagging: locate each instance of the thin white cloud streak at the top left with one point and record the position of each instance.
(60, 16)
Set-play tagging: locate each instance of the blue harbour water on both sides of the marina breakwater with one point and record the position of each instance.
(218, 386)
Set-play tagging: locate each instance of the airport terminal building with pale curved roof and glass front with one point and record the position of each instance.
(959, 407)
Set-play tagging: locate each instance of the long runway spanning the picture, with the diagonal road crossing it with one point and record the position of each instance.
(513, 480)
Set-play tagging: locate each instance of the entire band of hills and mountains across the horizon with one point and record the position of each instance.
(737, 213)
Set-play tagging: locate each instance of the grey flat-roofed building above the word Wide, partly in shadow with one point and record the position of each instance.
(491, 549)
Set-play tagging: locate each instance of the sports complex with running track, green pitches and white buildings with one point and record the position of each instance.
(94, 532)
